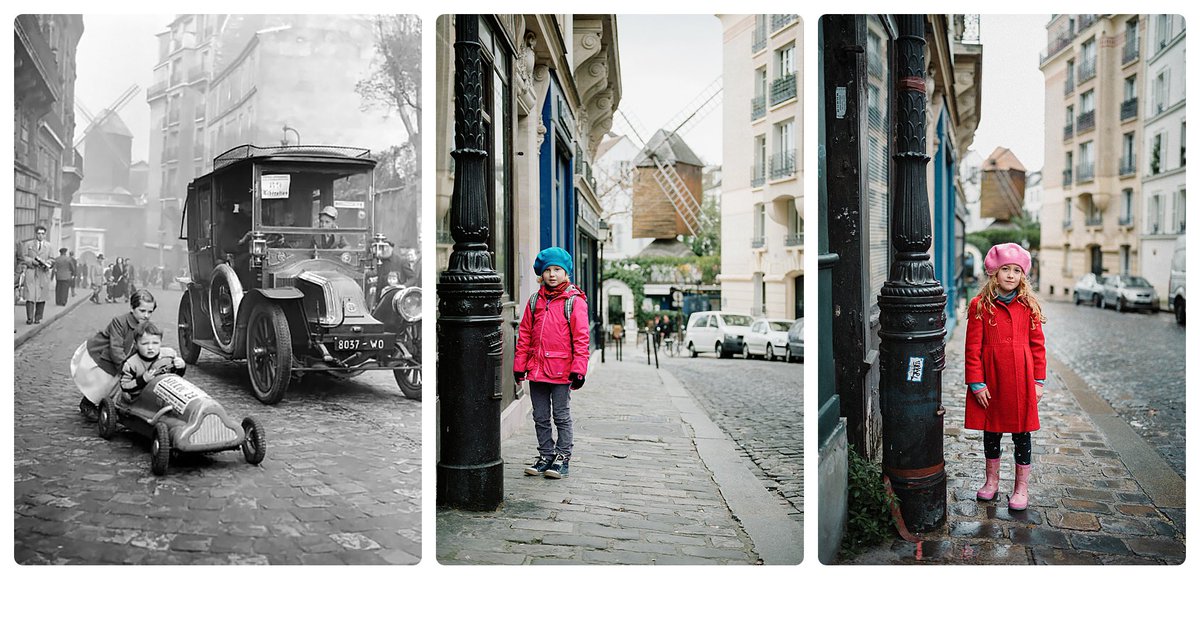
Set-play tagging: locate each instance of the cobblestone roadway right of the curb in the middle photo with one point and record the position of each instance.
(761, 406)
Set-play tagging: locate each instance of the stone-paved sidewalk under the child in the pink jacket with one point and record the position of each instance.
(644, 487)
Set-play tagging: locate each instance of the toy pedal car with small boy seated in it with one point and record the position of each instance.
(181, 418)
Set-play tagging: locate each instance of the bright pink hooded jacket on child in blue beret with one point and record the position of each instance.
(545, 347)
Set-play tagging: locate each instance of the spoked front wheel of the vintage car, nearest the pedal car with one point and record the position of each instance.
(269, 353)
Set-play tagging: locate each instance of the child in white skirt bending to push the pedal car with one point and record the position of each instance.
(97, 364)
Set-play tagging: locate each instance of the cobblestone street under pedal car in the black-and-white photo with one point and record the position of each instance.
(341, 483)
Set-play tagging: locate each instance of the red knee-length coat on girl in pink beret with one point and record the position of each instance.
(1007, 352)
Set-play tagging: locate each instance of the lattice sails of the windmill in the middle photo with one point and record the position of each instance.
(656, 148)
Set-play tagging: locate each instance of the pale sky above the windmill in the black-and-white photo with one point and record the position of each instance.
(115, 53)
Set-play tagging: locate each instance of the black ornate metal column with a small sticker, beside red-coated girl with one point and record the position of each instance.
(913, 309)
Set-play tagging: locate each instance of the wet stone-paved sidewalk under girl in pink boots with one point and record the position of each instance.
(1096, 497)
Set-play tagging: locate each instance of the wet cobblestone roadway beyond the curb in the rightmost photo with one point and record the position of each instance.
(1136, 362)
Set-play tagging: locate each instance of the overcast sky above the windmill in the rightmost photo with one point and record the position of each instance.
(1013, 112)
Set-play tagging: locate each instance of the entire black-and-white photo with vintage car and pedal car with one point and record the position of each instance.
(225, 210)
